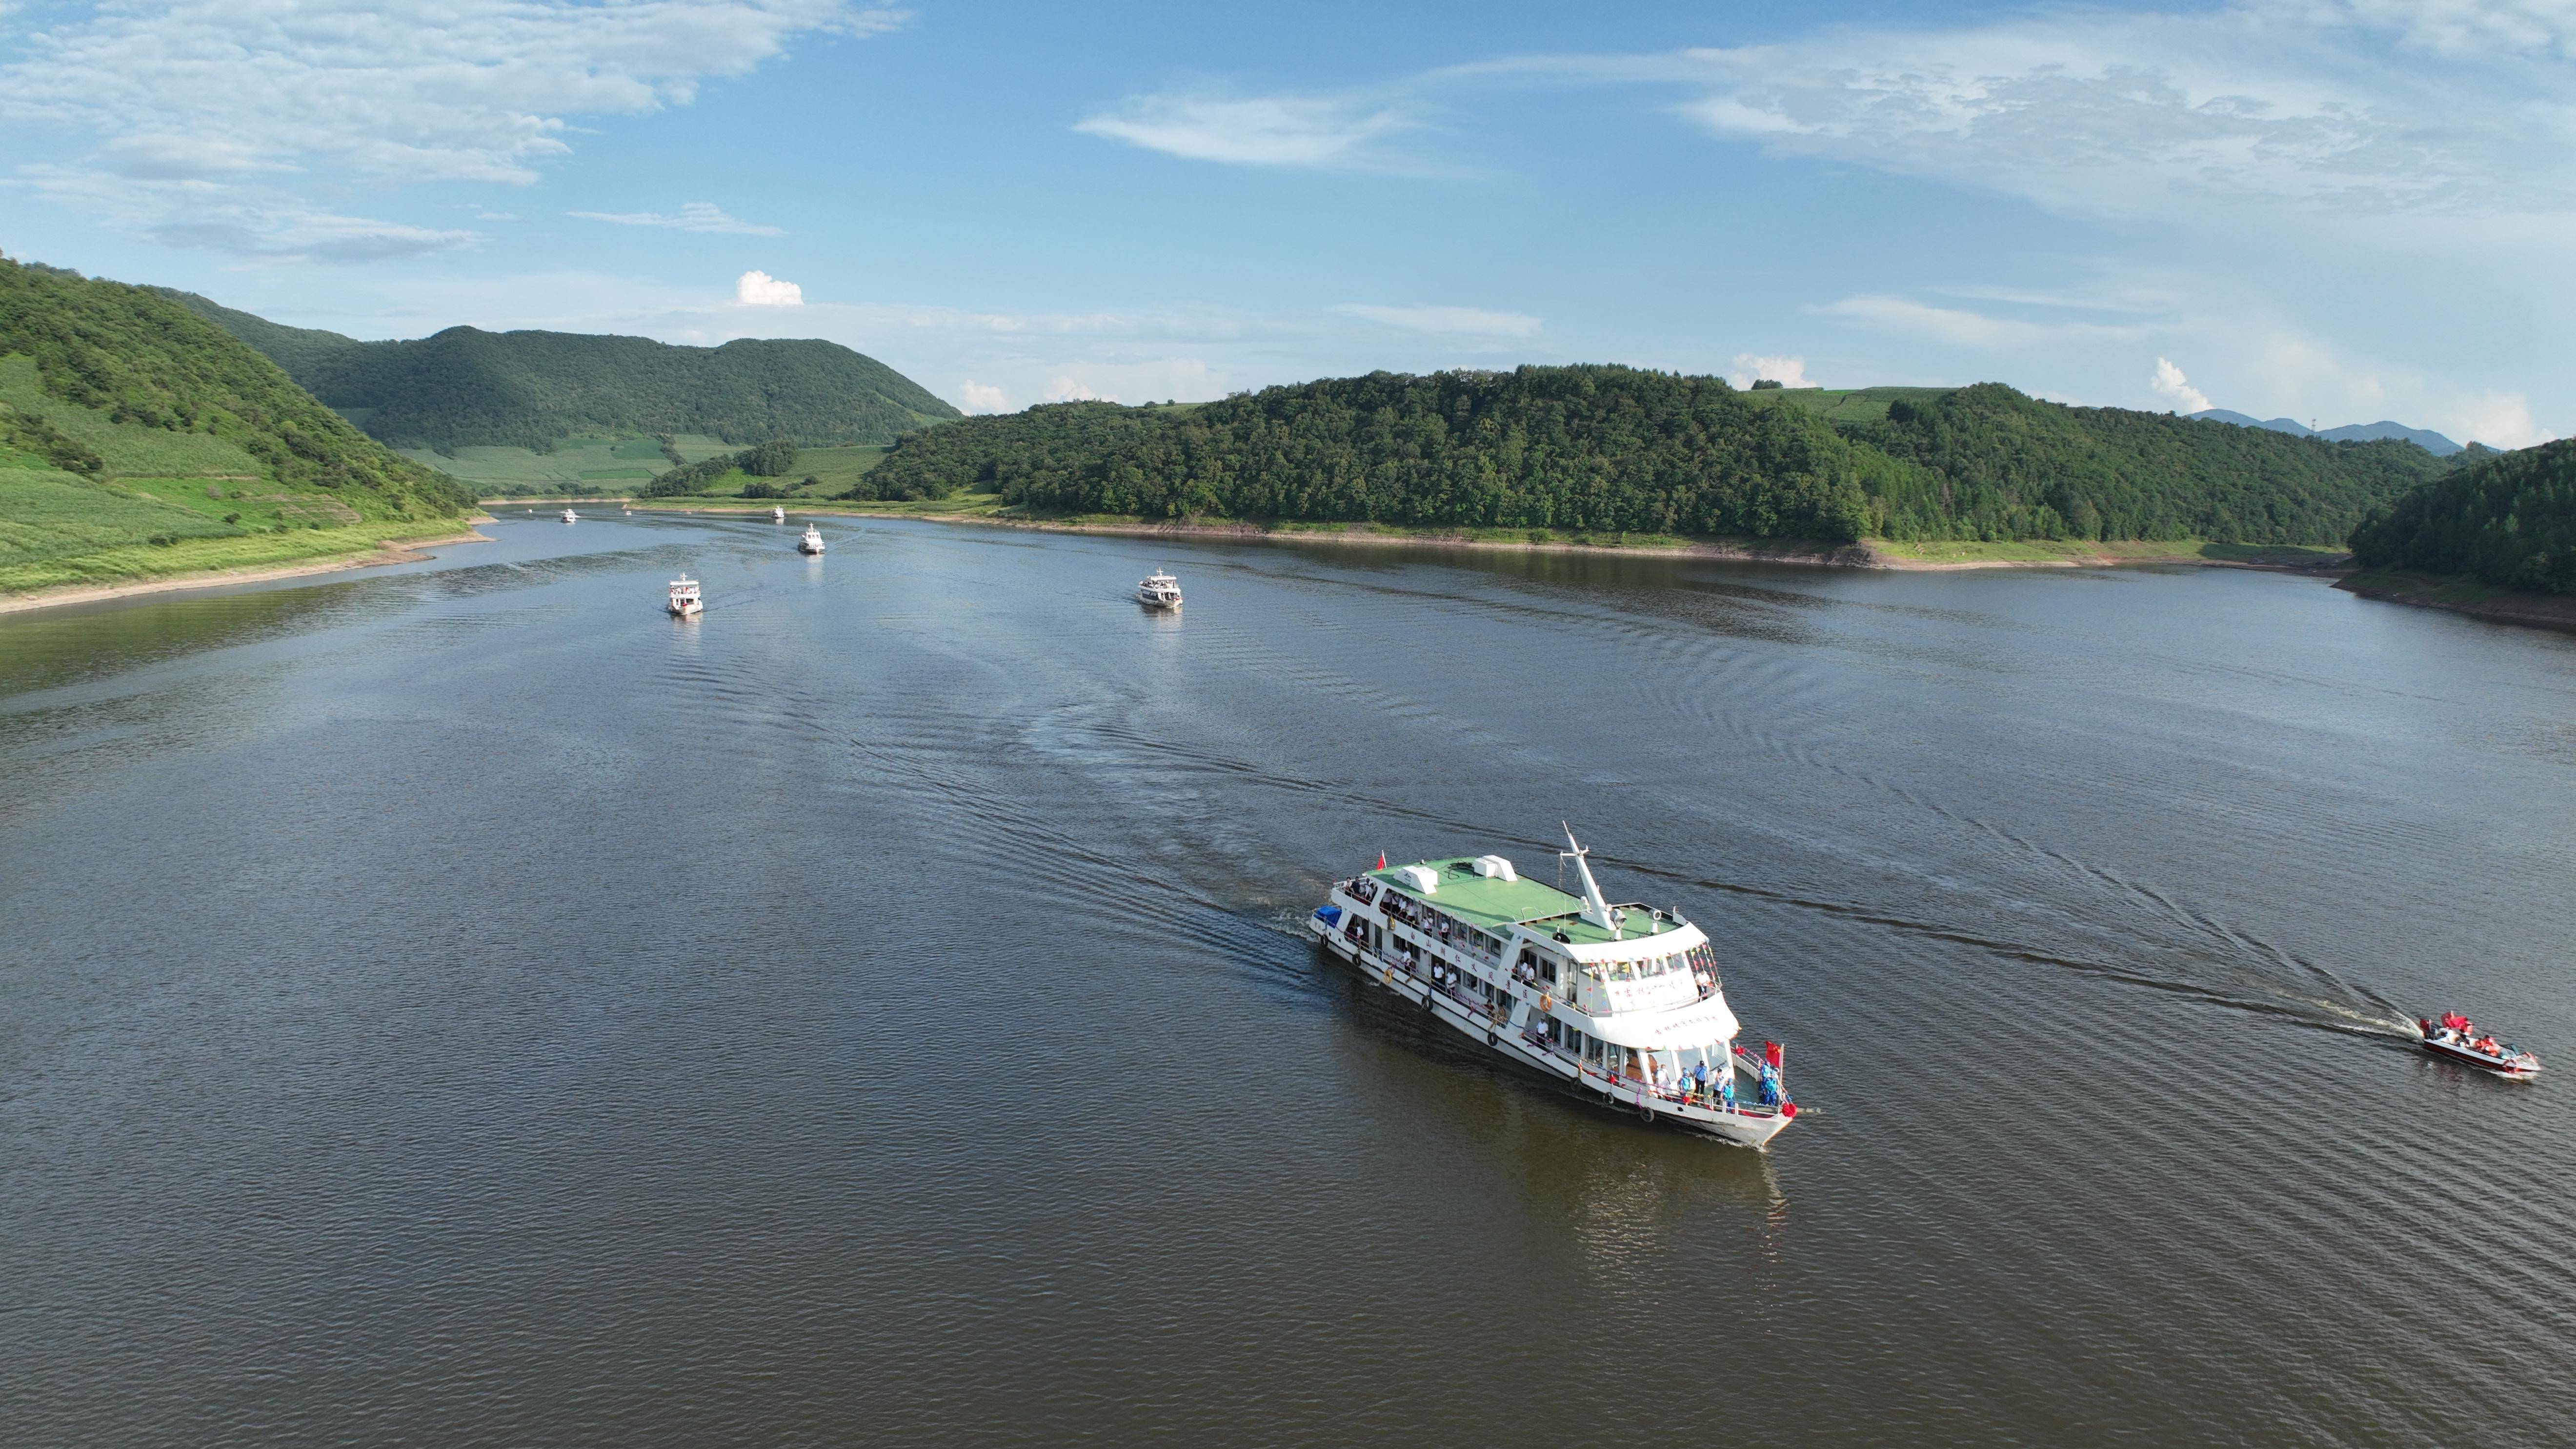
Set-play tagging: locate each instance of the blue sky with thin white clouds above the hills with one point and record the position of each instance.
(2340, 210)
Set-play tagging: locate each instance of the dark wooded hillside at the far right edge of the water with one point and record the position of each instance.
(2508, 520)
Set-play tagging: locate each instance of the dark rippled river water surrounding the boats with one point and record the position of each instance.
(460, 1004)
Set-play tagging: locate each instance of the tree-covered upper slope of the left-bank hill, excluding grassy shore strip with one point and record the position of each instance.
(130, 383)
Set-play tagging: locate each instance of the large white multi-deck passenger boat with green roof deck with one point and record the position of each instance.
(1616, 1002)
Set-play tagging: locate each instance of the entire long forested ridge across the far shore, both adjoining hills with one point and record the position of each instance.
(1622, 450)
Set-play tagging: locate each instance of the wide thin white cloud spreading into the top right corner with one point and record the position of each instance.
(2260, 107)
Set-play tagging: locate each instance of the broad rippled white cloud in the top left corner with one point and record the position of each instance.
(254, 110)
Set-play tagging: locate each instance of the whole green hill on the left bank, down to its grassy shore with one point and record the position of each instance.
(138, 440)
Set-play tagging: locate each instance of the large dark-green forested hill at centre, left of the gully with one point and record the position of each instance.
(1575, 447)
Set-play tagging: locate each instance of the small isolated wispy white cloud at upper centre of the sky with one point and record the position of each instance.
(1315, 133)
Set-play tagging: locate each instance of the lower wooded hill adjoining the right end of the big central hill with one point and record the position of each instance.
(2000, 465)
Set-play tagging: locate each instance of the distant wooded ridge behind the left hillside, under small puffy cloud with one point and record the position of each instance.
(465, 388)
